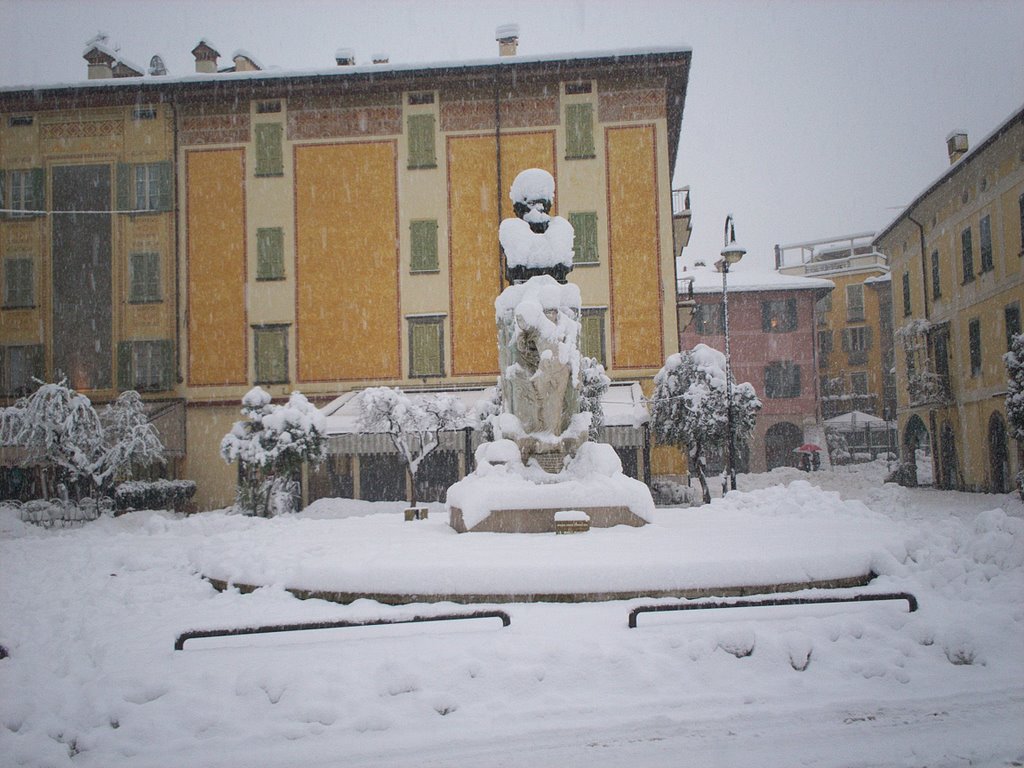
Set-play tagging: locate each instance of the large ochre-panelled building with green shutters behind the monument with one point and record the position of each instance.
(323, 231)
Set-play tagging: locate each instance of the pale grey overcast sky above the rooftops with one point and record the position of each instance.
(804, 120)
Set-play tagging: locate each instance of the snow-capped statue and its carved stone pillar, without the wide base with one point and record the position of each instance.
(539, 328)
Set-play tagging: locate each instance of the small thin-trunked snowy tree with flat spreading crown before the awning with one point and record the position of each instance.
(413, 423)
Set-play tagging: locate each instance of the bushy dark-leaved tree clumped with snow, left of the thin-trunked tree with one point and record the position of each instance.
(271, 446)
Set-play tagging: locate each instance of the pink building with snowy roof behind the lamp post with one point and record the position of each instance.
(772, 340)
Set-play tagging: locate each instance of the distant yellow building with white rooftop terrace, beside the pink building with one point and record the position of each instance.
(855, 322)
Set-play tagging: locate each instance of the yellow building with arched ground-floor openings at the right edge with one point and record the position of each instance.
(958, 269)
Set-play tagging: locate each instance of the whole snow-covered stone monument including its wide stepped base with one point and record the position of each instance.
(542, 462)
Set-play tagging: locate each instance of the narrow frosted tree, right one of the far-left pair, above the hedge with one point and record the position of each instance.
(132, 441)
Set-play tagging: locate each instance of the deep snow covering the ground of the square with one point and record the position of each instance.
(90, 617)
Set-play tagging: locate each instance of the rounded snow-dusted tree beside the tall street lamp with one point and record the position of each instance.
(690, 407)
